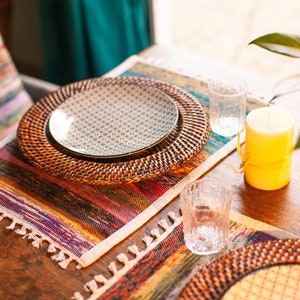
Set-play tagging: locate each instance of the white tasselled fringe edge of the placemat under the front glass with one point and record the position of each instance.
(100, 283)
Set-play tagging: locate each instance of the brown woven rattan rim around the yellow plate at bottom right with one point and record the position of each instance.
(216, 279)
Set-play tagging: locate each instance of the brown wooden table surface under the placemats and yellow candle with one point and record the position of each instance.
(28, 273)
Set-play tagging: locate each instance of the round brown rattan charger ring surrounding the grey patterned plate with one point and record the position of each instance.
(185, 141)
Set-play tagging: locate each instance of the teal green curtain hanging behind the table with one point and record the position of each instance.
(86, 38)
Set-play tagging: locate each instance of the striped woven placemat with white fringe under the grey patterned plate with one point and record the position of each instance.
(81, 222)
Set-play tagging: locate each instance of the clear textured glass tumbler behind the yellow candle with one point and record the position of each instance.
(227, 105)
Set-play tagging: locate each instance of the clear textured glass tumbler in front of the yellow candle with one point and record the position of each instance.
(205, 206)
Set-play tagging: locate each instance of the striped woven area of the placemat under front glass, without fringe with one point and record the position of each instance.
(165, 270)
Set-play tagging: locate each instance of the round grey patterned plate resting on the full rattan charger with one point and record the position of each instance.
(113, 121)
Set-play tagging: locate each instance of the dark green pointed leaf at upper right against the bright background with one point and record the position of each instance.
(286, 44)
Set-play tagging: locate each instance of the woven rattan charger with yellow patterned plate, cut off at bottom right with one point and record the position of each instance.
(219, 279)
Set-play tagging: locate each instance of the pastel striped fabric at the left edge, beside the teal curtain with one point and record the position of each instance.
(14, 100)
